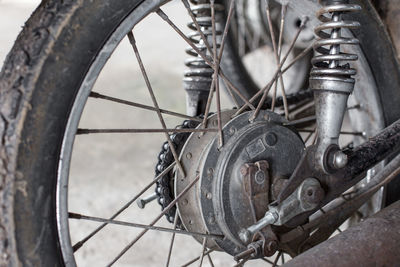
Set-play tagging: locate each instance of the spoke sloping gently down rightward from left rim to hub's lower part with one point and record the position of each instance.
(77, 216)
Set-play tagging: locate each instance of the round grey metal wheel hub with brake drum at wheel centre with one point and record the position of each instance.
(238, 180)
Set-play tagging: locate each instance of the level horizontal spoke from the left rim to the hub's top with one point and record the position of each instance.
(121, 131)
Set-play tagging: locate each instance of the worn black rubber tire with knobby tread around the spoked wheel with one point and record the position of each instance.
(39, 82)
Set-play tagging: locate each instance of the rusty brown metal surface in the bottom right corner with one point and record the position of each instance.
(374, 242)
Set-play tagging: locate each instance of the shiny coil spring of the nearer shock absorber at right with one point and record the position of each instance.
(330, 61)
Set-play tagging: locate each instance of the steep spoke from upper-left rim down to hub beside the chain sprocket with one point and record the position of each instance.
(155, 103)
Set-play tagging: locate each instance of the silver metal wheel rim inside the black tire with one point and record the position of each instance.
(118, 35)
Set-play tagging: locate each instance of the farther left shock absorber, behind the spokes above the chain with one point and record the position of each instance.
(198, 75)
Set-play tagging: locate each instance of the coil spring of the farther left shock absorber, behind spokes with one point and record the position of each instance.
(198, 76)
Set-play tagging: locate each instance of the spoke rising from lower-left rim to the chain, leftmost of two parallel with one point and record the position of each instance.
(127, 205)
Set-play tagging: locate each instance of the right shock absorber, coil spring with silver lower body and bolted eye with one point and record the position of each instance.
(332, 80)
